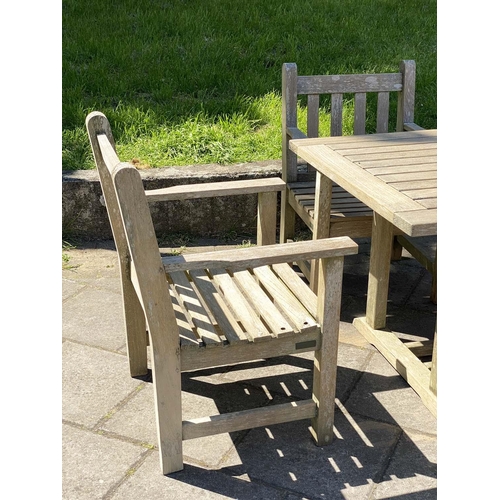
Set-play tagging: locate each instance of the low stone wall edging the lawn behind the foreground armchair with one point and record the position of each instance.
(84, 214)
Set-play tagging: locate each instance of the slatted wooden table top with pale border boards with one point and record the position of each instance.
(395, 174)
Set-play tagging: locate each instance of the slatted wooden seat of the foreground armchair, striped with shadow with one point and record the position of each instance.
(219, 309)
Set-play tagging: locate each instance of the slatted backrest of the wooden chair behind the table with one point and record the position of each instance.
(293, 85)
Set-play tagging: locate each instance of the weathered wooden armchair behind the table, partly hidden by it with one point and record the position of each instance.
(348, 216)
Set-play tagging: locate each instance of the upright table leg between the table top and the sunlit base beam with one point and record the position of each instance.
(378, 279)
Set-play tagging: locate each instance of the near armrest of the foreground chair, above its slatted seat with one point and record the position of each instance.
(245, 258)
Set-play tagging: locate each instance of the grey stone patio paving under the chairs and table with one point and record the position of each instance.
(386, 439)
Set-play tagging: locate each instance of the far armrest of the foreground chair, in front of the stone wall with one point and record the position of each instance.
(214, 189)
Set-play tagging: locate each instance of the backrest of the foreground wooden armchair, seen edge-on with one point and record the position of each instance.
(132, 226)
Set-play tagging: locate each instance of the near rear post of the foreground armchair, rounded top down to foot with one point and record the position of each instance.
(162, 325)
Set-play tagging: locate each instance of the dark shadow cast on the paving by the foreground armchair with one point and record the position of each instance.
(370, 447)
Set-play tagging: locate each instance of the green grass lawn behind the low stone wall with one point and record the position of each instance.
(199, 81)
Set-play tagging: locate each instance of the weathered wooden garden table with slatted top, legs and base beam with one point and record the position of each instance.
(395, 174)
